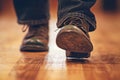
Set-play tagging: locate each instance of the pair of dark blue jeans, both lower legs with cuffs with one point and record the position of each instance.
(33, 12)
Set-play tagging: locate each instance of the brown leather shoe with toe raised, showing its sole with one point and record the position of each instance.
(74, 39)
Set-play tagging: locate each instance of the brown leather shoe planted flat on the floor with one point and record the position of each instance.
(36, 39)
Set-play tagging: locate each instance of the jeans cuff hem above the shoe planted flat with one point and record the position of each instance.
(33, 22)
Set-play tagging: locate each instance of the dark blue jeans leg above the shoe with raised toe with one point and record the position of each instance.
(76, 8)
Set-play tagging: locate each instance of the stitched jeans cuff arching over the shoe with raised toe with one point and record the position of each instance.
(91, 21)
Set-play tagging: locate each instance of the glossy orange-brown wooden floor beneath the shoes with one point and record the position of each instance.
(104, 63)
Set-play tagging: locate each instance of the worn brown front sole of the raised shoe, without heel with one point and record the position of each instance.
(74, 41)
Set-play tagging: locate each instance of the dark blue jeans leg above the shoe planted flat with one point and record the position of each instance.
(32, 12)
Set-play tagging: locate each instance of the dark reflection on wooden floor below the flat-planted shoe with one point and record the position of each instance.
(27, 67)
